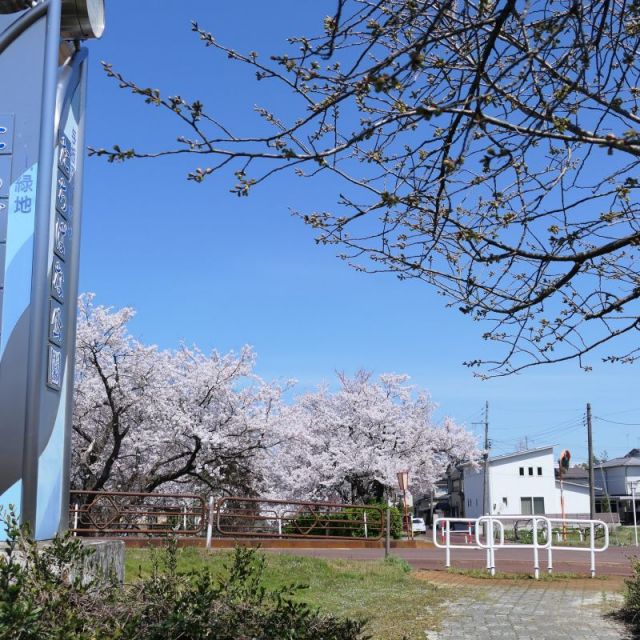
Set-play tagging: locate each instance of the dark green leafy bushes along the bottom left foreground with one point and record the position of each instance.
(44, 595)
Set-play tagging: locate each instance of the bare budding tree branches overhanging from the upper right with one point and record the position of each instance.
(487, 149)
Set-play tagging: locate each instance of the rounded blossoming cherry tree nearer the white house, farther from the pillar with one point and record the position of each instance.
(350, 444)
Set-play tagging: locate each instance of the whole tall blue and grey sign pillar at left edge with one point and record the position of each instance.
(43, 71)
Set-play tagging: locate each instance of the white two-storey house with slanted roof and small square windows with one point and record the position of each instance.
(521, 483)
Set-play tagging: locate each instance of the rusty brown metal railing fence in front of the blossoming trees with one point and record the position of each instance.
(100, 513)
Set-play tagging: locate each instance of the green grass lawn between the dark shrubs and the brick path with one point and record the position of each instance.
(386, 593)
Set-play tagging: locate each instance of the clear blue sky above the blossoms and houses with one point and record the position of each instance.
(203, 266)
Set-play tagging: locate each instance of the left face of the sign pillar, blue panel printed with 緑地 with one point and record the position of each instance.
(22, 72)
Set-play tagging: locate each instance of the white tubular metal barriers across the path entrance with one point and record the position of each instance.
(494, 539)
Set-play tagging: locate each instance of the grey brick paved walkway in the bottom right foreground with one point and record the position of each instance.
(531, 612)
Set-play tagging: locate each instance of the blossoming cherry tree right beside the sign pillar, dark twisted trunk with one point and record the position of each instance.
(146, 419)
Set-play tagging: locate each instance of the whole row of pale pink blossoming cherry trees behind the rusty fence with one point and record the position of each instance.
(147, 419)
